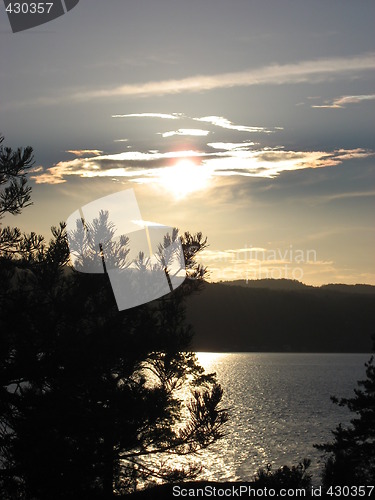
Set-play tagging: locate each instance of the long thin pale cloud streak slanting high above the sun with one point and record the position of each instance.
(313, 71)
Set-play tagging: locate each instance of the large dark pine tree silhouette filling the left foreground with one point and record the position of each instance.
(94, 401)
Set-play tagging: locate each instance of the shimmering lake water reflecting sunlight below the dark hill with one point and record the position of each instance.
(280, 406)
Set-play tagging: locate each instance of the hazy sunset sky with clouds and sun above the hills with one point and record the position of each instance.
(249, 121)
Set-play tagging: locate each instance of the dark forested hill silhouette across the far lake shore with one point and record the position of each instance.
(282, 315)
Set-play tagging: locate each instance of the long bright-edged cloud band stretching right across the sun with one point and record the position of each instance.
(153, 165)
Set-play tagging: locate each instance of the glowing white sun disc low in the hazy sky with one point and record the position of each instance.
(184, 177)
